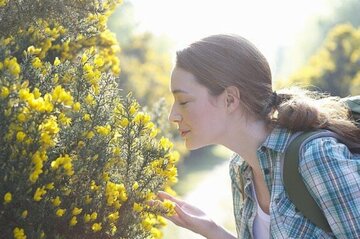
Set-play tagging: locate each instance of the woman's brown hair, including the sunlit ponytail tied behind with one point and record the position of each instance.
(220, 61)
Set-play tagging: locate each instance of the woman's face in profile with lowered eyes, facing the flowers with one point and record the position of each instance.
(199, 115)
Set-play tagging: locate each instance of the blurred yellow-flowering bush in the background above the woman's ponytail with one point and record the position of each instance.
(335, 67)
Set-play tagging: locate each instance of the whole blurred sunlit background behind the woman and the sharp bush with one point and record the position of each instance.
(308, 43)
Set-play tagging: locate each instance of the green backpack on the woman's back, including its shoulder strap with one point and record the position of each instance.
(293, 183)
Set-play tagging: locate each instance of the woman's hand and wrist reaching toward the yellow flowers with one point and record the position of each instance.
(192, 218)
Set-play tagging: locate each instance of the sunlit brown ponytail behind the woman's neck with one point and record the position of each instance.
(303, 110)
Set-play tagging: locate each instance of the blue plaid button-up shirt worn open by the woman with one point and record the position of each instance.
(331, 173)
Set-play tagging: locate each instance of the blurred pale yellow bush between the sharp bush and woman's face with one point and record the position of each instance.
(146, 66)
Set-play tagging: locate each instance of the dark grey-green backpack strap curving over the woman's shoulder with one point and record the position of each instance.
(294, 184)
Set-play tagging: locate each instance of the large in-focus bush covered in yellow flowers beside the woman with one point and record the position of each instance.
(76, 160)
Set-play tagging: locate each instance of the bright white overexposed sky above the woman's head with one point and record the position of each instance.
(267, 23)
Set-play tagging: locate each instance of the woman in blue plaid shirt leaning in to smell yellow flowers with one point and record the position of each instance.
(223, 95)
